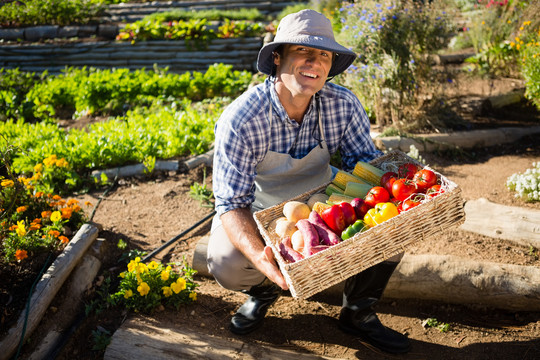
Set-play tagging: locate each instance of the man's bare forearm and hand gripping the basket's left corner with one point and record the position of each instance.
(244, 235)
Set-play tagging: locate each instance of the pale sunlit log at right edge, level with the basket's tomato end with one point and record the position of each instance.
(516, 224)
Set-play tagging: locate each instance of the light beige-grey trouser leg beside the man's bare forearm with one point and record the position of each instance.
(228, 265)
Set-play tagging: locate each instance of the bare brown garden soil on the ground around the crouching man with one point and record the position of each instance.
(148, 211)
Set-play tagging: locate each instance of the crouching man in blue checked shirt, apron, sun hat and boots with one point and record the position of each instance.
(275, 142)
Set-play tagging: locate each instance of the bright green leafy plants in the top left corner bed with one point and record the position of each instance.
(49, 12)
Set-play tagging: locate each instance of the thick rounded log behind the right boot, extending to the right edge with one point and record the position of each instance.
(452, 279)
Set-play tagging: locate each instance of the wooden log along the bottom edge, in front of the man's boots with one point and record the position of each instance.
(137, 341)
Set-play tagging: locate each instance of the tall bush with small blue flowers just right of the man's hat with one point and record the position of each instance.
(392, 39)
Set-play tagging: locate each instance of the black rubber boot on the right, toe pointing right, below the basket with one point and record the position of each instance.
(358, 318)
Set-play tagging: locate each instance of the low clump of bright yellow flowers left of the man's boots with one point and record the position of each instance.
(146, 287)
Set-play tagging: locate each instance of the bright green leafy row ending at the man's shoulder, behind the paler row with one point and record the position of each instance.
(91, 92)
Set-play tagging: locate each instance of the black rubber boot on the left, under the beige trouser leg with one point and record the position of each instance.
(251, 314)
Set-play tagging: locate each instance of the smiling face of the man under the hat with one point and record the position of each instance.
(303, 70)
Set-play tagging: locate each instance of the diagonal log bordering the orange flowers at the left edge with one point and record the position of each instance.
(48, 286)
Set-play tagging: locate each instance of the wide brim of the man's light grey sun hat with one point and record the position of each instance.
(342, 61)
